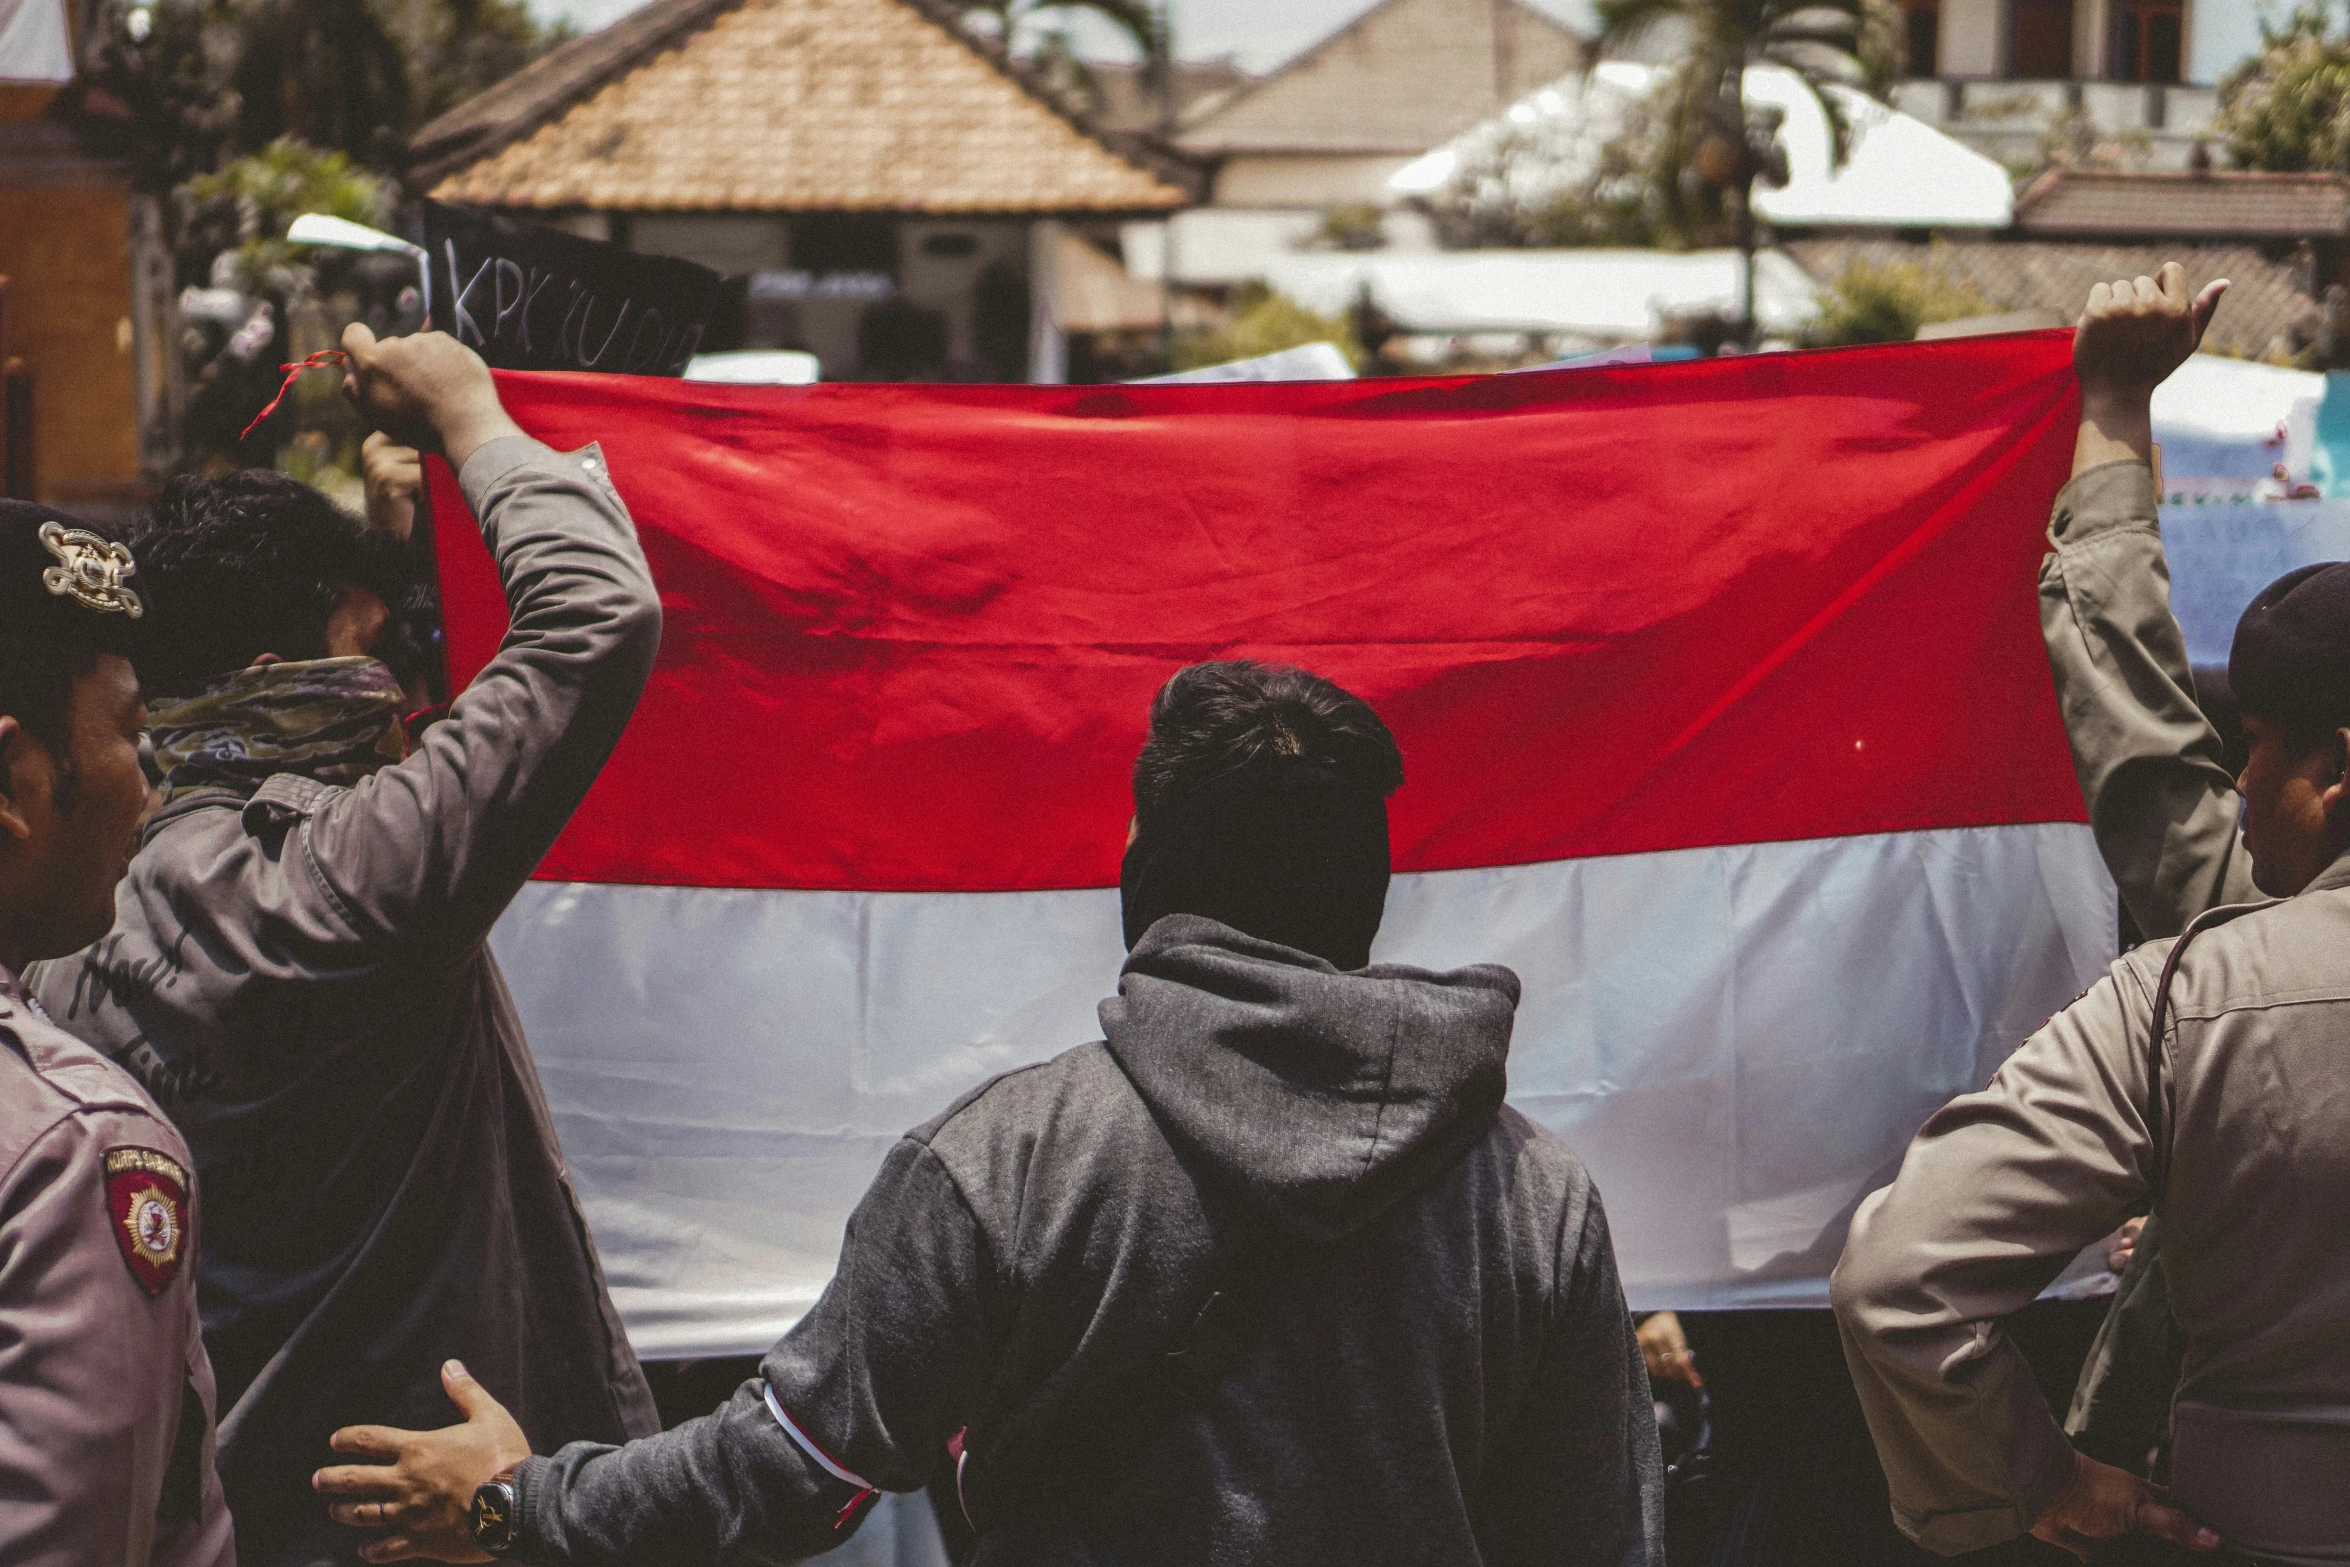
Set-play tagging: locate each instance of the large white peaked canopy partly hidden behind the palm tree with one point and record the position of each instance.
(1900, 173)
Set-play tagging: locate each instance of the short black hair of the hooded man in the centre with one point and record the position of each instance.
(1221, 718)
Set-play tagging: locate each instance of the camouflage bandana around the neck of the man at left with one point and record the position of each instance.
(335, 720)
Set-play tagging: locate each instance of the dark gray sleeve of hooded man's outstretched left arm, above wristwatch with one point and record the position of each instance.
(873, 1383)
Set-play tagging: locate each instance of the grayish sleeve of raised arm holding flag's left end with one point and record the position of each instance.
(436, 847)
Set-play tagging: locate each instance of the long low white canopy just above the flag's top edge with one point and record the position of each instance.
(1580, 292)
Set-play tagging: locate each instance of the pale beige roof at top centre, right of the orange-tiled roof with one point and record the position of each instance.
(1399, 79)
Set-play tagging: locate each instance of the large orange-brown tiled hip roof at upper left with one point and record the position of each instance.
(781, 107)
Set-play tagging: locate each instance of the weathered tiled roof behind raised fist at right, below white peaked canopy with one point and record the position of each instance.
(2267, 314)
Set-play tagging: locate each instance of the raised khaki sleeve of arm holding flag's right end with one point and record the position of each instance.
(2149, 762)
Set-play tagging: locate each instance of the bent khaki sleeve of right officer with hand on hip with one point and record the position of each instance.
(1994, 1199)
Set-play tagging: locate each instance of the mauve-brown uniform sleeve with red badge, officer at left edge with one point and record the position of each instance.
(105, 1390)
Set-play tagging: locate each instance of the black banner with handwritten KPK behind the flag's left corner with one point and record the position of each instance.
(530, 297)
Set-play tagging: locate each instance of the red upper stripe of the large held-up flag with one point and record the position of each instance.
(913, 631)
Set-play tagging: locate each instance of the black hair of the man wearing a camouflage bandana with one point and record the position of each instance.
(246, 565)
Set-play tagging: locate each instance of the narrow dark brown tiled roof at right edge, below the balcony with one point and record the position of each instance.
(2220, 206)
